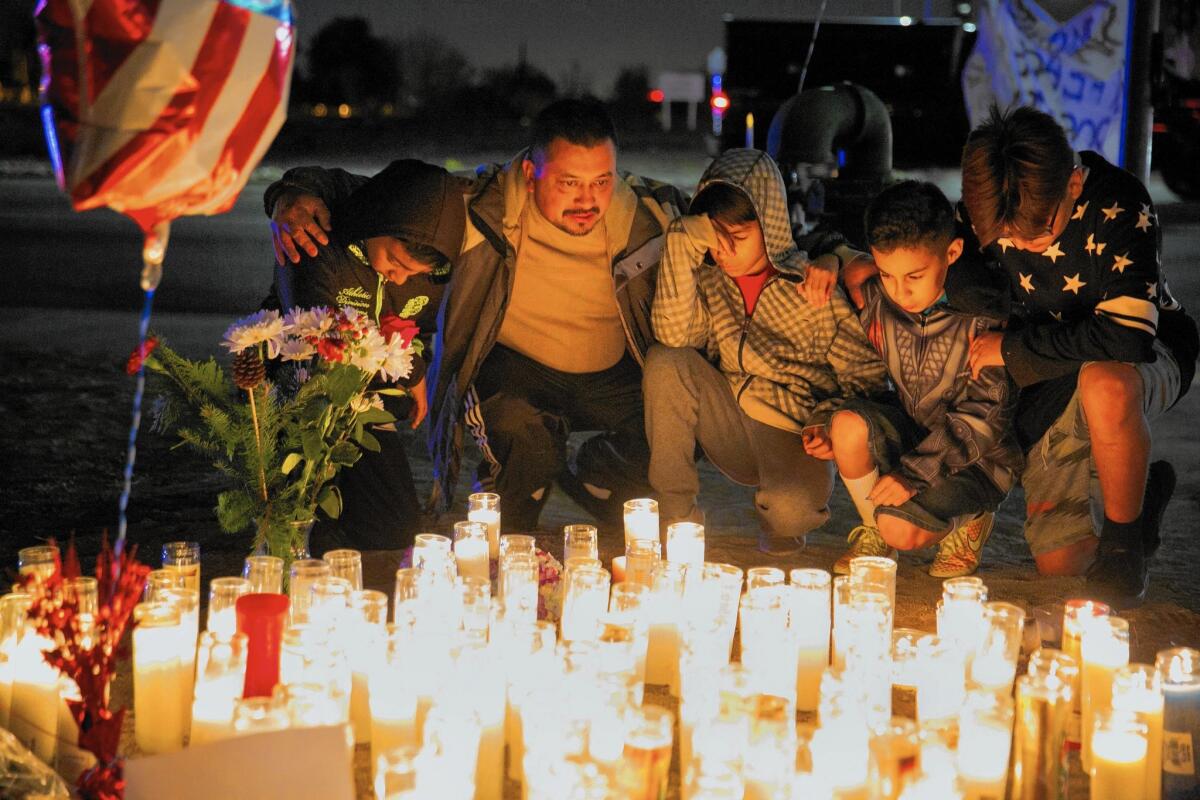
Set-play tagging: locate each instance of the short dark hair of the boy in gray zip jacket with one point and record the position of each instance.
(909, 214)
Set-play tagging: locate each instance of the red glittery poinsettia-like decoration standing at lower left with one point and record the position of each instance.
(88, 651)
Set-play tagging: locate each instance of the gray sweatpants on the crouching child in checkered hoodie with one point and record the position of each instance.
(689, 402)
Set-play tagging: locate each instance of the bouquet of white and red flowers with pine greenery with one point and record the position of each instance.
(304, 395)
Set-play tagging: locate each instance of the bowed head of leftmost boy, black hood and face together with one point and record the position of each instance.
(410, 218)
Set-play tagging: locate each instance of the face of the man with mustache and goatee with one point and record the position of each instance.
(573, 184)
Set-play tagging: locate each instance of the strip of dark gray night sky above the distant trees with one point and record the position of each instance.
(602, 35)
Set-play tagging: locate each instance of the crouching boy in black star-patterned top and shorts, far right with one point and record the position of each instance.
(1097, 344)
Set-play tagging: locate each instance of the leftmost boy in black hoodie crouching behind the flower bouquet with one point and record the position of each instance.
(389, 256)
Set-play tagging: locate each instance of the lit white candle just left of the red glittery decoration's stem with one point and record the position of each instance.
(34, 717)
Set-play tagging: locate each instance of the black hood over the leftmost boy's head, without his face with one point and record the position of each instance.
(409, 200)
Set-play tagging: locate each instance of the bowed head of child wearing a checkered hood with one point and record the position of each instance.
(743, 193)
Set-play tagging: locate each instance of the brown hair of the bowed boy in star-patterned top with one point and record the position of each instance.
(1016, 170)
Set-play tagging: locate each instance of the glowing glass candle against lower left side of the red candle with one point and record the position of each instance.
(220, 681)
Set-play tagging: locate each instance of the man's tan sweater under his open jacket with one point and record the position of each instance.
(563, 311)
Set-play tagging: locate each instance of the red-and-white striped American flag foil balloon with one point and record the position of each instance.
(161, 109)
